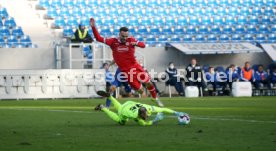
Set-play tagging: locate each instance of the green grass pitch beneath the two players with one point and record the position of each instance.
(217, 124)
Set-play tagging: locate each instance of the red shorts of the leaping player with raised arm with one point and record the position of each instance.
(136, 76)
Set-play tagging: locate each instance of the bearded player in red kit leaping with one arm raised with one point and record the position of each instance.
(123, 49)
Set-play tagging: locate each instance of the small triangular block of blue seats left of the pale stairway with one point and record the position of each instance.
(11, 35)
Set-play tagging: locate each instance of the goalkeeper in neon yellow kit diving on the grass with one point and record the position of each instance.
(133, 110)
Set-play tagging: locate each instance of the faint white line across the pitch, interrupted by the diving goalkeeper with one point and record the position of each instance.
(192, 117)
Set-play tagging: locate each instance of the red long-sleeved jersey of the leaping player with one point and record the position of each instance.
(123, 53)
